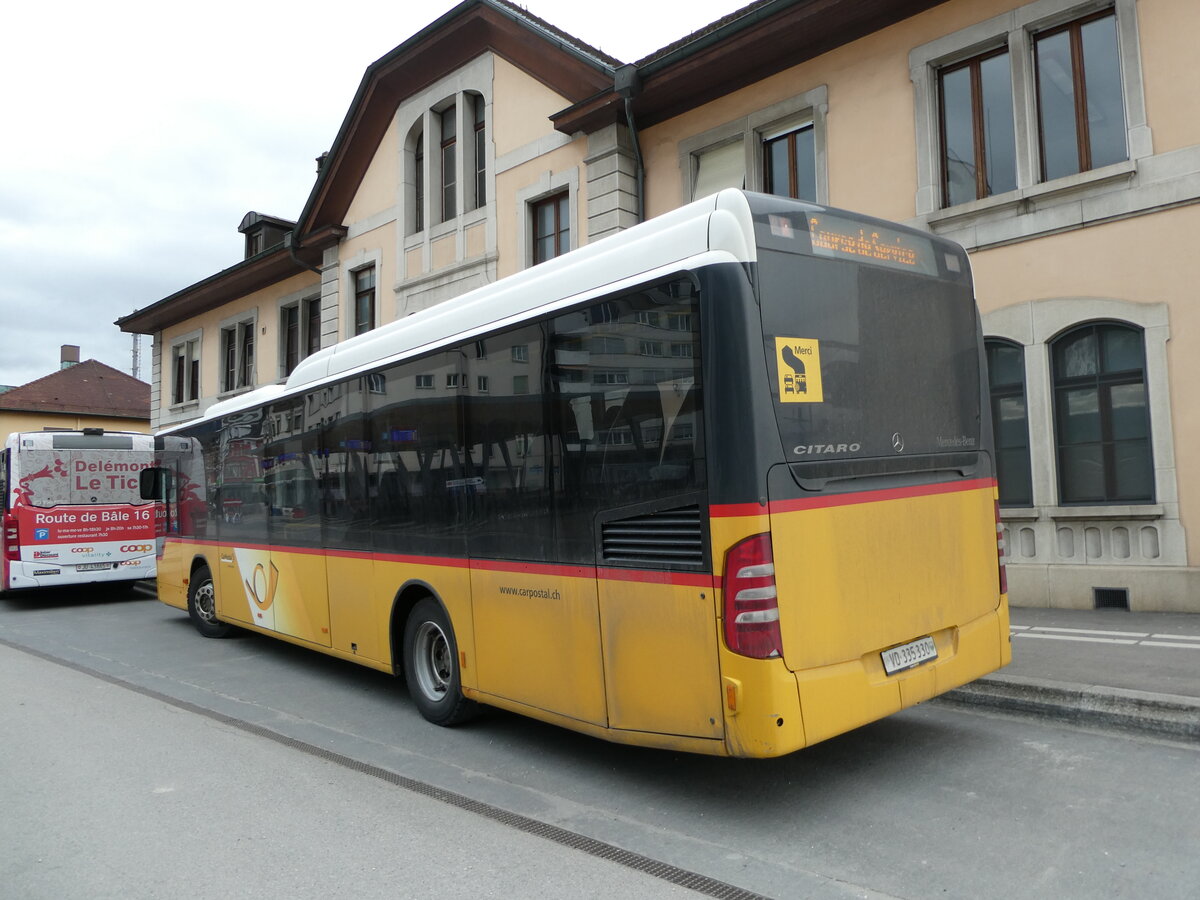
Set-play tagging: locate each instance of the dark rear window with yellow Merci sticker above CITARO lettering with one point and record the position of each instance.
(869, 362)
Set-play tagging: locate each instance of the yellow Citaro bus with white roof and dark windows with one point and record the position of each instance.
(722, 484)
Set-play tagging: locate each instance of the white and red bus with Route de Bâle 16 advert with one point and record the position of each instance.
(73, 514)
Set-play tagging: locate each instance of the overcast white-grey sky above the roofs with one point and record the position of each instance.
(135, 136)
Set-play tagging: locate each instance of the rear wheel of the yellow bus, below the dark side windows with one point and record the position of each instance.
(431, 665)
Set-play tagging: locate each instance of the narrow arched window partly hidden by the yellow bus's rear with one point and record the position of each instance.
(1011, 423)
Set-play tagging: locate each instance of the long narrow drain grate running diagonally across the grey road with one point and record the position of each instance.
(665, 872)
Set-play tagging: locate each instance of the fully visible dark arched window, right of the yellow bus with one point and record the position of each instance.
(1102, 416)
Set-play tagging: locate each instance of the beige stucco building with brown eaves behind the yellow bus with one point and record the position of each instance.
(1059, 141)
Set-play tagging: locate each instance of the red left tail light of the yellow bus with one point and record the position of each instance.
(752, 602)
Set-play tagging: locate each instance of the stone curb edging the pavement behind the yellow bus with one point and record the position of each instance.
(1142, 712)
